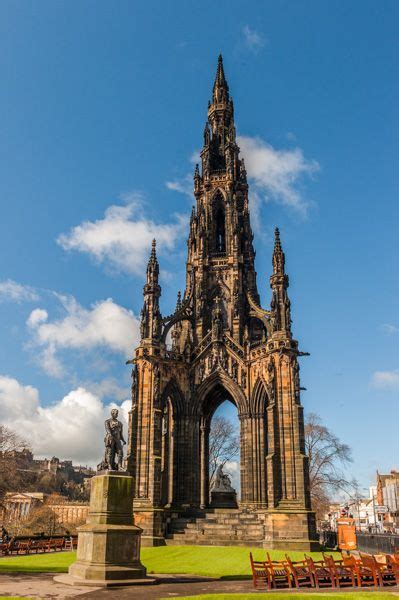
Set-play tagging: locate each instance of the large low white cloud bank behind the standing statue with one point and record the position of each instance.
(70, 428)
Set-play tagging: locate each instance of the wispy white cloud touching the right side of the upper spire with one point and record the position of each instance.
(276, 174)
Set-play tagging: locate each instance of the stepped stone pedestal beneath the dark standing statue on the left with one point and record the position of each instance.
(109, 543)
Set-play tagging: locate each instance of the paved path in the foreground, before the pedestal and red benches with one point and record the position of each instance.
(42, 585)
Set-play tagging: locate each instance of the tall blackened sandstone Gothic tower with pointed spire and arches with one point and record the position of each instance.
(224, 346)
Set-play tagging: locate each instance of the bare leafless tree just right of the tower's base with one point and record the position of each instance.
(328, 456)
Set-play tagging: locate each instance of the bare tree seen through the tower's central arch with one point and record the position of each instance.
(224, 444)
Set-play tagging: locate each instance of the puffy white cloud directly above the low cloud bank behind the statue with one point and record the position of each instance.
(104, 324)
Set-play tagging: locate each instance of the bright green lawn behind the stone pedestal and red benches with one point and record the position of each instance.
(211, 561)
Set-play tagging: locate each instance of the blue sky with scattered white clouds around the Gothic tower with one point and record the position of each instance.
(102, 108)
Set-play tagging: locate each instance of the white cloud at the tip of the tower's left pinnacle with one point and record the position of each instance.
(122, 239)
